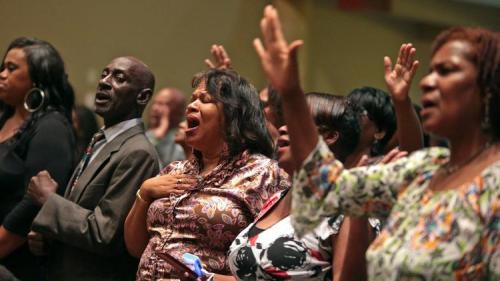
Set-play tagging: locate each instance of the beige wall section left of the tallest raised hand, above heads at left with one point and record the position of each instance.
(172, 37)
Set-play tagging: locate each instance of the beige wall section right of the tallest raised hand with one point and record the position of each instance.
(344, 50)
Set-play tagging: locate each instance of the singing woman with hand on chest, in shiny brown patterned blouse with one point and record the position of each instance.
(199, 205)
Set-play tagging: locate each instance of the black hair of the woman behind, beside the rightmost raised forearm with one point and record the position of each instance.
(380, 110)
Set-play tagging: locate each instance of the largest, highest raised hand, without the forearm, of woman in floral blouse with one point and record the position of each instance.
(278, 58)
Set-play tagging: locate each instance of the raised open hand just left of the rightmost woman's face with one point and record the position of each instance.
(399, 79)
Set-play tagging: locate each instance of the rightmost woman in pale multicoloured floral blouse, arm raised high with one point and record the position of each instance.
(442, 206)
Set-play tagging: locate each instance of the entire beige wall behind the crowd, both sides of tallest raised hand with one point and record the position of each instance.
(342, 49)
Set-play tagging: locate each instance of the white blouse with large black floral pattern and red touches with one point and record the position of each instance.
(277, 253)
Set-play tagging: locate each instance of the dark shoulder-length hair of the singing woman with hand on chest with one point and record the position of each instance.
(245, 124)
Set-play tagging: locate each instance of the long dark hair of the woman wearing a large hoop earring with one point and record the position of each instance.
(47, 72)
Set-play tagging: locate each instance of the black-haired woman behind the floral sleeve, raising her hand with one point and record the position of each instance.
(382, 112)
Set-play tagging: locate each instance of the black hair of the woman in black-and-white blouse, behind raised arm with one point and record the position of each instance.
(333, 113)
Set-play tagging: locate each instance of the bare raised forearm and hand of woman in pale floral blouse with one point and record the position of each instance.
(279, 62)
